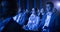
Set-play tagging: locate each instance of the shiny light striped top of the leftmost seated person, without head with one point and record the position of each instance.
(20, 18)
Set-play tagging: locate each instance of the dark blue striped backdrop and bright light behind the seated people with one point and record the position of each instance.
(29, 4)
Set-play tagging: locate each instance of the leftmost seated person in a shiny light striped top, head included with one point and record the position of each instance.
(20, 17)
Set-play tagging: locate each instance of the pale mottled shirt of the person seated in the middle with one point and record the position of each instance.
(33, 22)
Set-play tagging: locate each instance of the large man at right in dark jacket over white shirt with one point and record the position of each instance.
(50, 20)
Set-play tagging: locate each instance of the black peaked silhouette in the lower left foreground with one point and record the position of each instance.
(12, 26)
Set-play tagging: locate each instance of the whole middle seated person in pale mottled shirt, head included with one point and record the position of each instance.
(33, 22)
